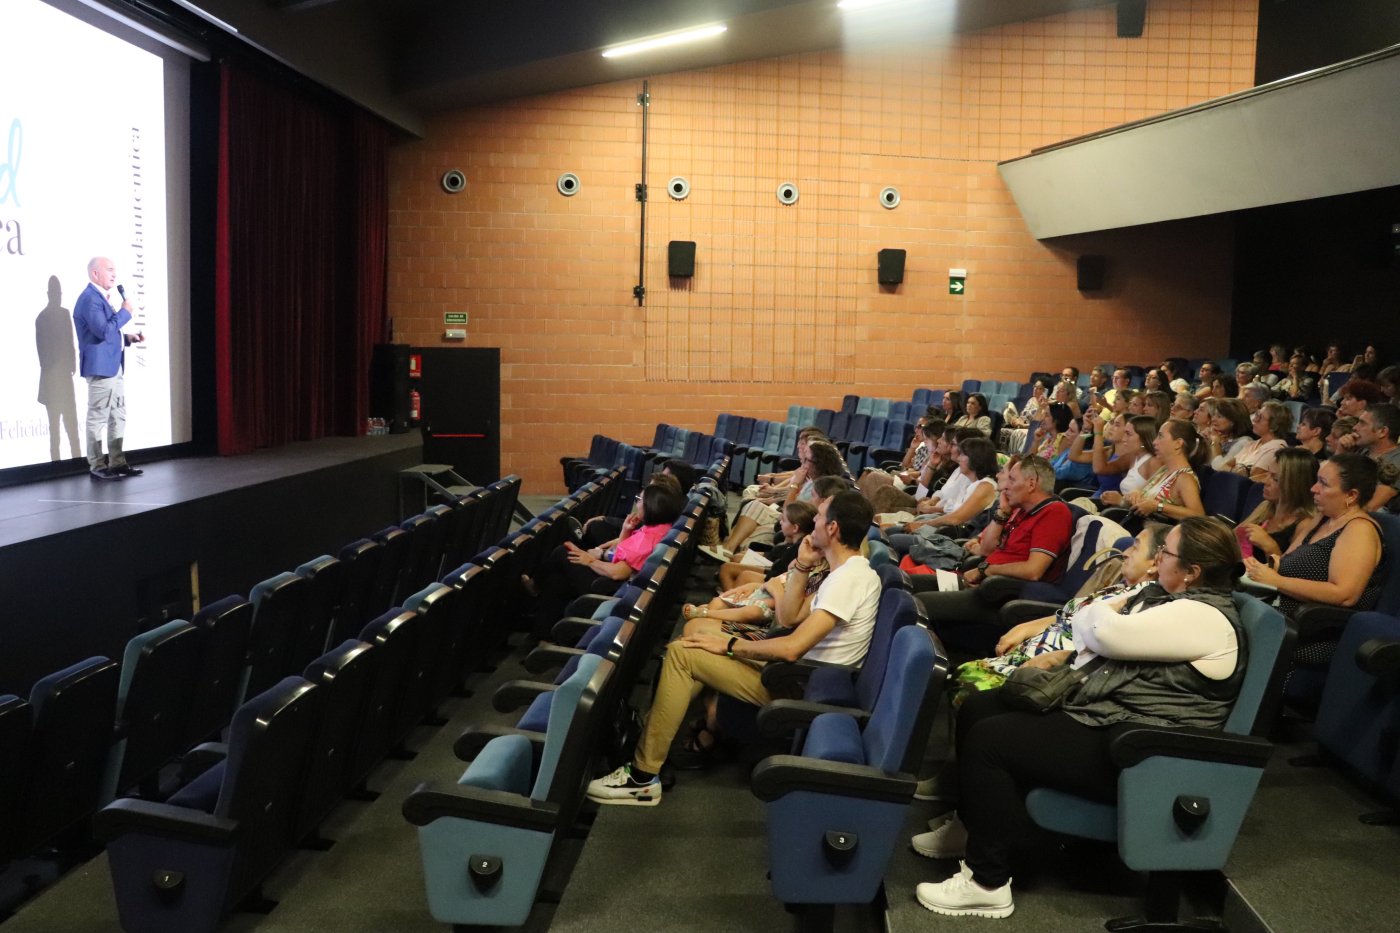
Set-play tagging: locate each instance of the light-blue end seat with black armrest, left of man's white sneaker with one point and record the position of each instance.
(485, 841)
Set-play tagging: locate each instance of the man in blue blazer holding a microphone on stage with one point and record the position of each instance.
(101, 348)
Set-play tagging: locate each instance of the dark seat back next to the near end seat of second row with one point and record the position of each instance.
(344, 676)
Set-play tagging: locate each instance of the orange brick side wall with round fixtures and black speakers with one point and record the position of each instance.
(785, 306)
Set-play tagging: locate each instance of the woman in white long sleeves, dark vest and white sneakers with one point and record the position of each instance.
(1167, 656)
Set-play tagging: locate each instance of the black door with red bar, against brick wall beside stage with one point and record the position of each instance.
(461, 410)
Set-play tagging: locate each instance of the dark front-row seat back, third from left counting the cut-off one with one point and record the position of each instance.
(153, 703)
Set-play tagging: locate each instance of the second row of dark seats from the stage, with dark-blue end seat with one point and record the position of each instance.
(311, 739)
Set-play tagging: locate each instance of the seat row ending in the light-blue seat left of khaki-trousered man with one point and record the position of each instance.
(486, 838)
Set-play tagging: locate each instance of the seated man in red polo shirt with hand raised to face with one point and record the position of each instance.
(1028, 540)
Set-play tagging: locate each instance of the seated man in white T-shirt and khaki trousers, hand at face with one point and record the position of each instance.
(836, 630)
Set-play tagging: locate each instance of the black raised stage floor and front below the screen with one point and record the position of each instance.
(86, 565)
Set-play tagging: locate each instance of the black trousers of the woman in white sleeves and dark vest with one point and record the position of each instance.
(1004, 753)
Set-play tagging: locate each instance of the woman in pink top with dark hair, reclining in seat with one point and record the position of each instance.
(570, 571)
